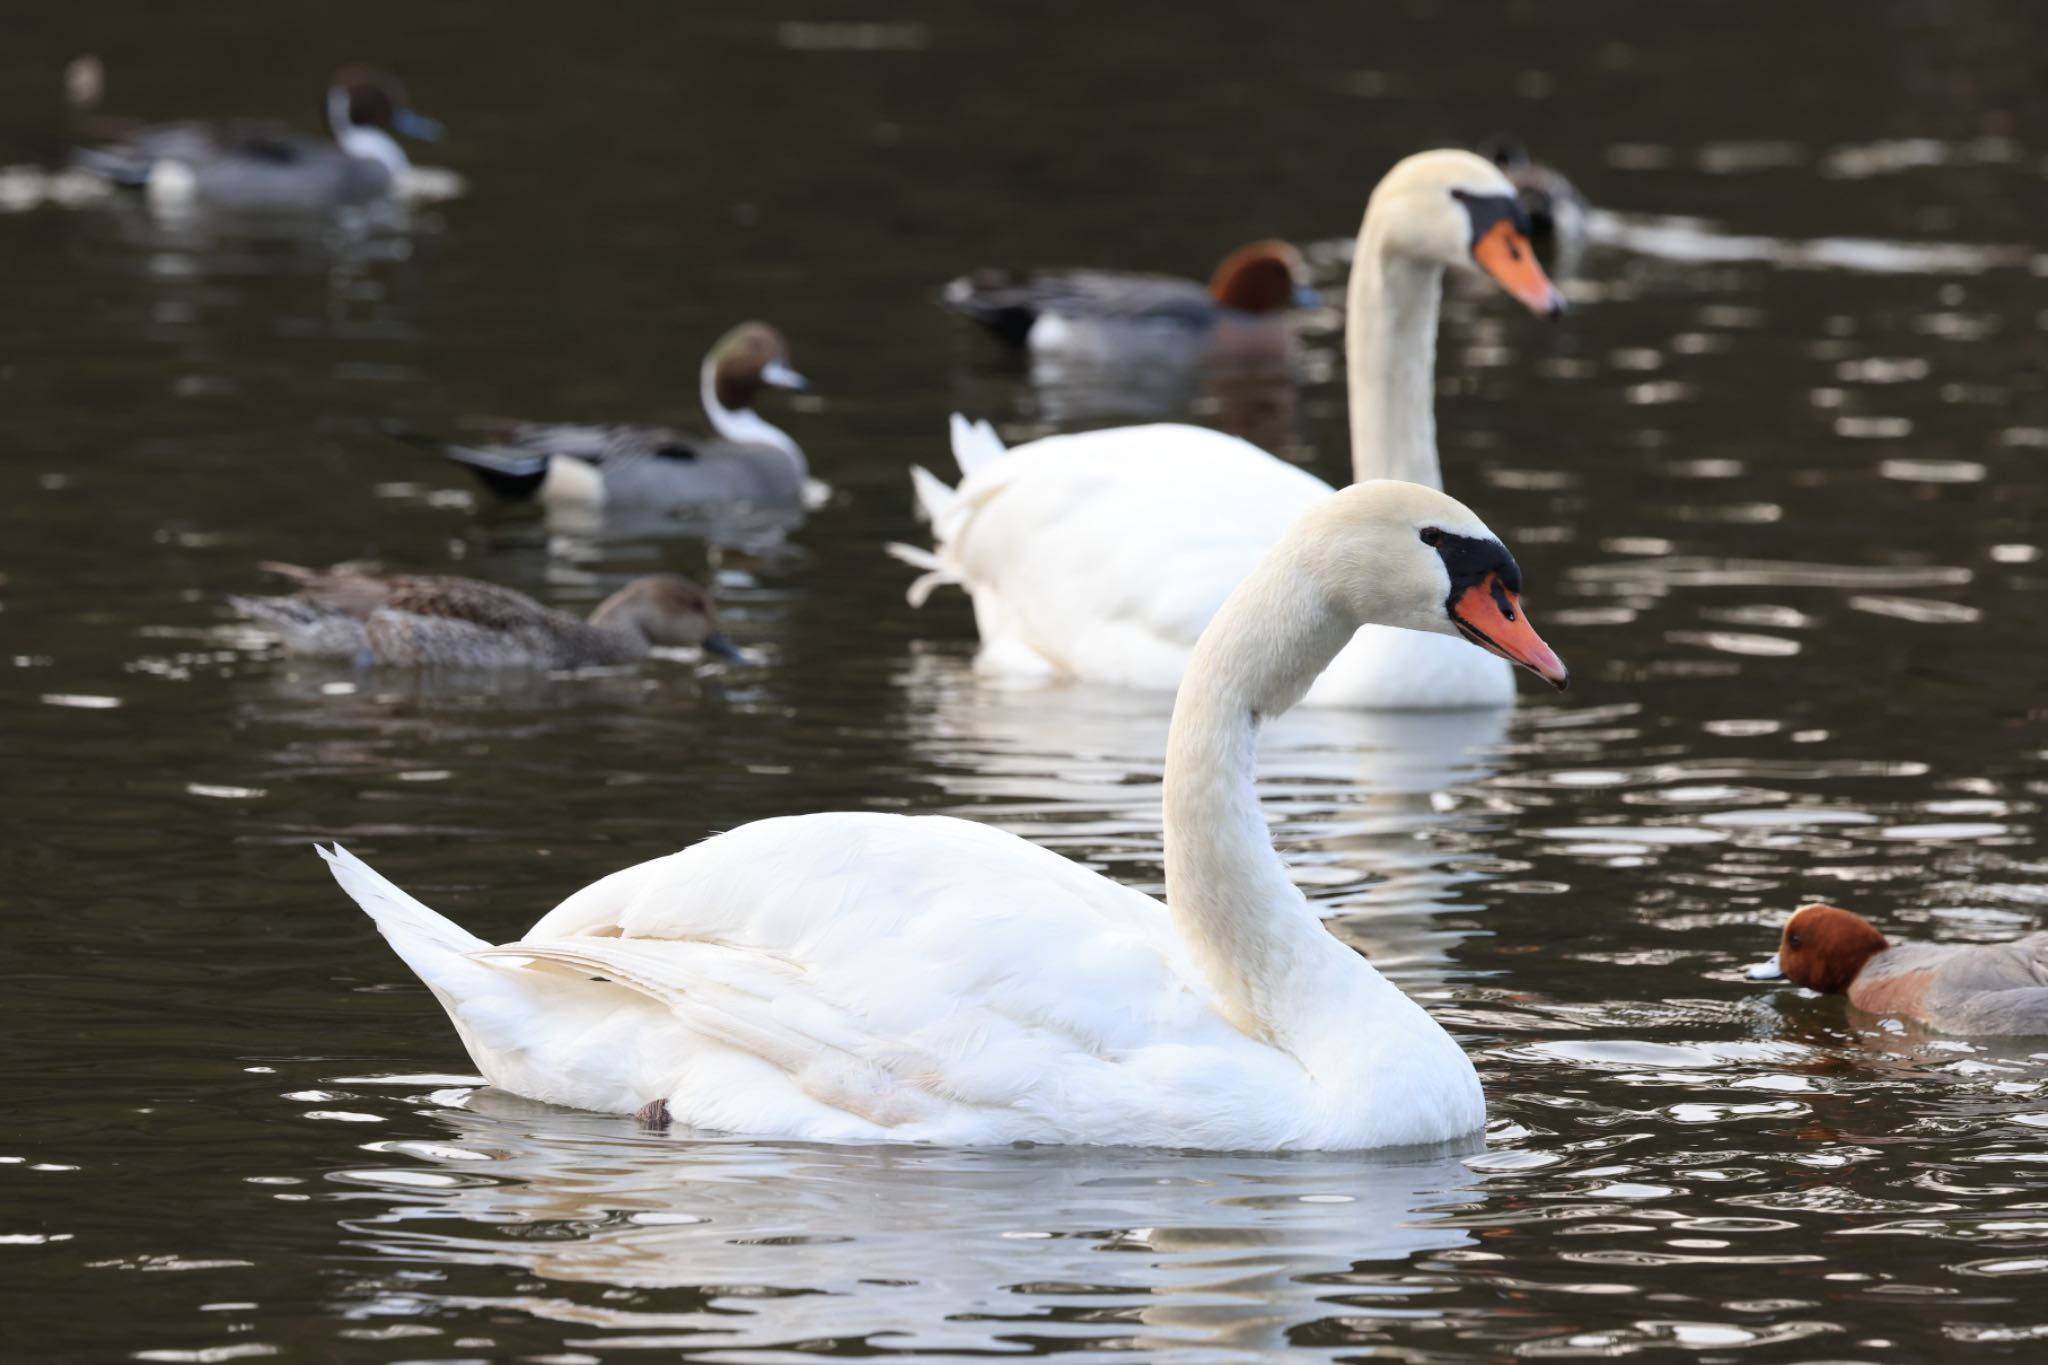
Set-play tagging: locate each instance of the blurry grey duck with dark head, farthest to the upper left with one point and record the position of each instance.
(257, 165)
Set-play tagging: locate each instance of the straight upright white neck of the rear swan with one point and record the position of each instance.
(1390, 343)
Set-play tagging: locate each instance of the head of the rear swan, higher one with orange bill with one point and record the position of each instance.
(1459, 210)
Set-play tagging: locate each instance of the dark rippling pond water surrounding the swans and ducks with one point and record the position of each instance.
(1779, 488)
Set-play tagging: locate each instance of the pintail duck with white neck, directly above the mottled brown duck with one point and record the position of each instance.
(749, 461)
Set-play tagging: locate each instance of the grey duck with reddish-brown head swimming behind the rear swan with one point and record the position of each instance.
(1107, 312)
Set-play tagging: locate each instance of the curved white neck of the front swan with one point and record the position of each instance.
(1254, 936)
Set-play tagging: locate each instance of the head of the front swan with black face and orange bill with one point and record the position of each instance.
(1406, 556)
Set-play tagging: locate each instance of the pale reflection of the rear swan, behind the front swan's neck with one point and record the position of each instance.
(1363, 803)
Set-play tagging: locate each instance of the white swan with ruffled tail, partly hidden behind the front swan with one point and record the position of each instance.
(1103, 556)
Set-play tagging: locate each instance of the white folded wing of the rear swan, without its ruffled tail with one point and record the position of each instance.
(1103, 556)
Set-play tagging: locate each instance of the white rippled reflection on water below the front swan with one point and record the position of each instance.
(763, 1245)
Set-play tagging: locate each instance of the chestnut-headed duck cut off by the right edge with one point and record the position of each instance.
(1969, 989)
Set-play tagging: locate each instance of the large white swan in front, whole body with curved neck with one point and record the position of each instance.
(863, 977)
